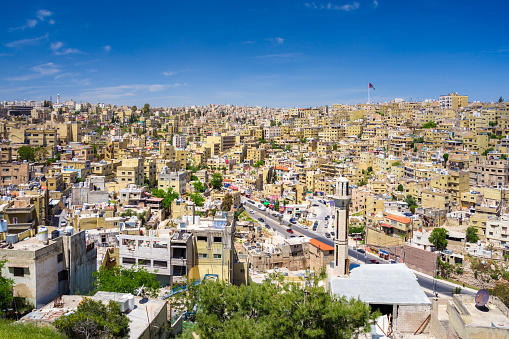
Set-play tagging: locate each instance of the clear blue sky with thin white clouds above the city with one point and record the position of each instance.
(266, 53)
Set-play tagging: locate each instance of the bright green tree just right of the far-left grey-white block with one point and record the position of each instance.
(126, 280)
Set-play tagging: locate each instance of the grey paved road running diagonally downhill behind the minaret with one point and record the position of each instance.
(425, 282)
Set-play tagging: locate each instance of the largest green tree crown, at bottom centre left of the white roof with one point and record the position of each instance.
(275, 309)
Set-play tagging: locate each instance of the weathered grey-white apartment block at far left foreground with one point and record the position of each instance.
(45, 269)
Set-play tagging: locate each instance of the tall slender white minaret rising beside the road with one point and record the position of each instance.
(340, 210)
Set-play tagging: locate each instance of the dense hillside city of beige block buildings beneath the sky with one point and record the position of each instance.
(348, 198)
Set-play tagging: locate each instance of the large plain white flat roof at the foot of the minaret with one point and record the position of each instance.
(381, 284)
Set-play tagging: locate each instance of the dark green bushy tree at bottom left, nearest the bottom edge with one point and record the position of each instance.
(93, 319)
